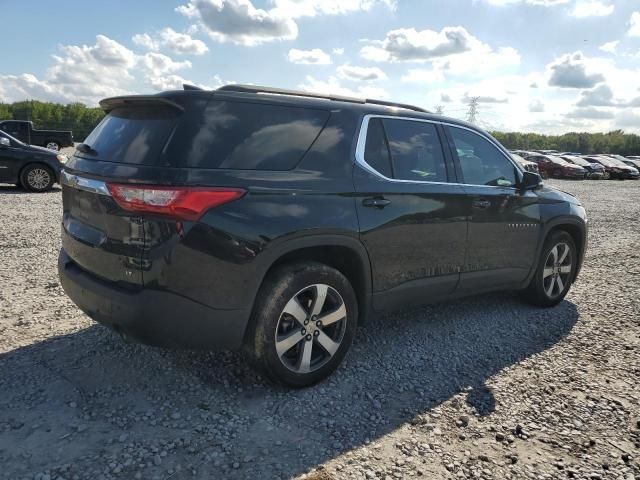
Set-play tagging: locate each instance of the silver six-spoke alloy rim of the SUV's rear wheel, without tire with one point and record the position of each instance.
(311, 328)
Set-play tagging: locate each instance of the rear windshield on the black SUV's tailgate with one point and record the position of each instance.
(135, 135)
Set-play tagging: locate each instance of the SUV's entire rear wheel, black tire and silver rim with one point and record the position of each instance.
(304, 322)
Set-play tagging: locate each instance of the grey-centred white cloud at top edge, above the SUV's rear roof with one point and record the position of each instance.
(238, 21)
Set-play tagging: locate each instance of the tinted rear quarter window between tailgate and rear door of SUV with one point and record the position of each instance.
(243, 136)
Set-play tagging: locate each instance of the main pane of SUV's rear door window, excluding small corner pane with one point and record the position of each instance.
(416, 151)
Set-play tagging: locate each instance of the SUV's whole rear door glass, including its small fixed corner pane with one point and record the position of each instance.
(405, 150)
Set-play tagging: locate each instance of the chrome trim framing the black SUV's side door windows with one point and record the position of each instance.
(362, 141)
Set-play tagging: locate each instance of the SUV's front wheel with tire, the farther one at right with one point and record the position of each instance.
(555, 272)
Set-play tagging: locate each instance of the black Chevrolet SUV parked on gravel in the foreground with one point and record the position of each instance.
(278, 221)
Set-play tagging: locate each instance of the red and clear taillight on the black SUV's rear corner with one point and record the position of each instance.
(184, 203)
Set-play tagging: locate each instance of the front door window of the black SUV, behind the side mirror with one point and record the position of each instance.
(481, 162)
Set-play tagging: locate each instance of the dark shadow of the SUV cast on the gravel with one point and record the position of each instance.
(83, 391)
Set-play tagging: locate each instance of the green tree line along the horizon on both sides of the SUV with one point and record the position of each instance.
(81, 119)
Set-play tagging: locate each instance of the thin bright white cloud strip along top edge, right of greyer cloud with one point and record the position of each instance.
(311, 8)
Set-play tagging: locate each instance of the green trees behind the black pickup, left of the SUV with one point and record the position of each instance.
(76, 117)
